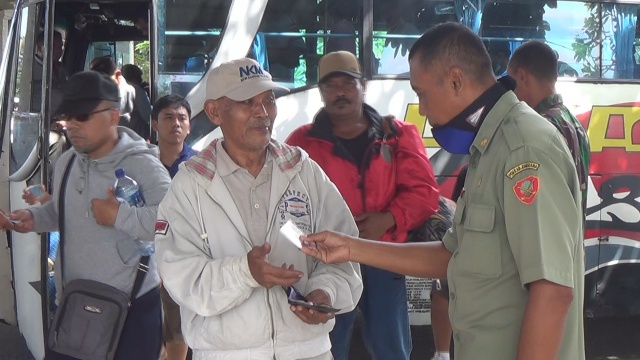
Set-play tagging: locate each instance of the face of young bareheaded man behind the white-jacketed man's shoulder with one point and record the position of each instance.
(173, 125)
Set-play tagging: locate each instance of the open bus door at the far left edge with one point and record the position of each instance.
(26, 110)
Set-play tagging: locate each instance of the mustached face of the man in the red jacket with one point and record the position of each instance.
(342, 95)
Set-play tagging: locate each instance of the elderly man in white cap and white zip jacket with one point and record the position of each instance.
(220, 252)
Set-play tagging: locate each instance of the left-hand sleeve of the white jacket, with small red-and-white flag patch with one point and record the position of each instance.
(192, 277)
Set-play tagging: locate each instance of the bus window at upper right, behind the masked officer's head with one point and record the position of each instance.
(592, 40)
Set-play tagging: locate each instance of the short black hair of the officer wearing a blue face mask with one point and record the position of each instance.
(453, 44)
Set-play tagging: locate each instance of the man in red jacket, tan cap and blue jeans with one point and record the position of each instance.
(381, 169)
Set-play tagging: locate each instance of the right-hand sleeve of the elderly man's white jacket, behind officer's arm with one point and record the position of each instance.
(342, 282)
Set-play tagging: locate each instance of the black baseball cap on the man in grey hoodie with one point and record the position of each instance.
(84, 91)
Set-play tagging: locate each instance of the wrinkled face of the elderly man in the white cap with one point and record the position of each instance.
(246, 125)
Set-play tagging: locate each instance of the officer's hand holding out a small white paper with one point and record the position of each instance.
(327, 246)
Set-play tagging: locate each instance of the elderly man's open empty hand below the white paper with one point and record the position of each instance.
(268, 275)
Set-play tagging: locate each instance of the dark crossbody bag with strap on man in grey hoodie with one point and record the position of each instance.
(91, 315)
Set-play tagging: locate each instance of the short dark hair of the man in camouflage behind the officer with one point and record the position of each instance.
(537, 58)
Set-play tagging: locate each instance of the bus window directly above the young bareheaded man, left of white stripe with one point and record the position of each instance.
(188, 37)
